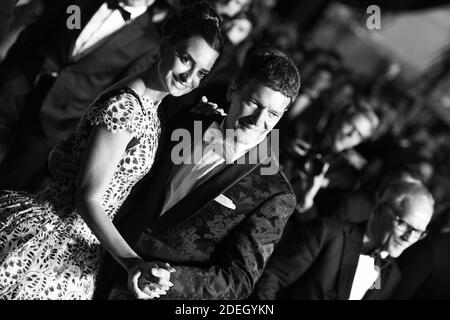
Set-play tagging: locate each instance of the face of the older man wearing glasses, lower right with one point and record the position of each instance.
(396, 230)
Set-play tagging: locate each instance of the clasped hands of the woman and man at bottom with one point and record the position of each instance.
(149, 280)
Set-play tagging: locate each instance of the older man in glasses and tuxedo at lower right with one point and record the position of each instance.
(337, 260)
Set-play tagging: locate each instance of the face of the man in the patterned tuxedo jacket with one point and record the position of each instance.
(254, 110)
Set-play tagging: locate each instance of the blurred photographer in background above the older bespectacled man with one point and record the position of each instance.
(307, 159)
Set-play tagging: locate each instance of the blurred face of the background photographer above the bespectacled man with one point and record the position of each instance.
(351, 132)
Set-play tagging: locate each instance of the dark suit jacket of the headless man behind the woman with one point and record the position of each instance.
(52, 109)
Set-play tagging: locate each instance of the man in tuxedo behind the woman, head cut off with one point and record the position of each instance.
(55, 70)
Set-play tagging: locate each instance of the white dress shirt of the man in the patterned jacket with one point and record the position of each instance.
(212, 151)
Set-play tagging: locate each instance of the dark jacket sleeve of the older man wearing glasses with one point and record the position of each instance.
(291, 259)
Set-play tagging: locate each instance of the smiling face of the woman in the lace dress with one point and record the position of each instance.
(184, 64)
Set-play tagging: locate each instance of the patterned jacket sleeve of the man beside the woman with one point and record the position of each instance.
(239, 260)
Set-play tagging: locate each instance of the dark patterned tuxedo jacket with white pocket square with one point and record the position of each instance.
(218, 252)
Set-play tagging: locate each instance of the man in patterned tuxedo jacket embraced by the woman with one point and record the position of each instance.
(216, 219)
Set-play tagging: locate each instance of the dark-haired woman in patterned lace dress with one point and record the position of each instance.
(51, 243)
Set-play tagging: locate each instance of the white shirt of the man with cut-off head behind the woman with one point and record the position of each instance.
(102, 24)
